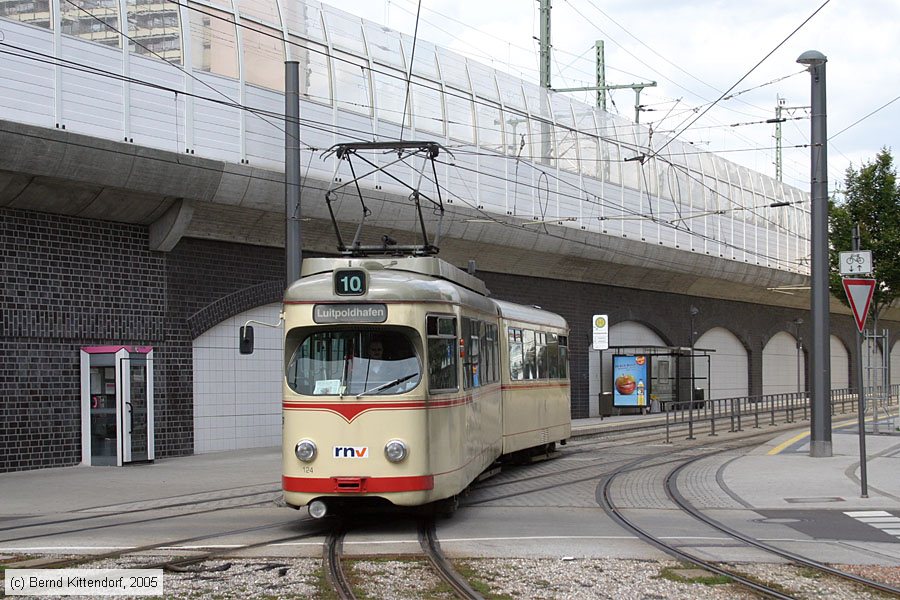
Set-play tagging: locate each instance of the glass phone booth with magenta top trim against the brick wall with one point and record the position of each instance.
(117, 405)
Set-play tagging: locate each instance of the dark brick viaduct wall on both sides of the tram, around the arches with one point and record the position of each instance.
(69, 282)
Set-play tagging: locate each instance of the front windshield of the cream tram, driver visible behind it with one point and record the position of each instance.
(354, 362)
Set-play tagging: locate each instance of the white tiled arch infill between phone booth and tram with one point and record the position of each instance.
(237, 398)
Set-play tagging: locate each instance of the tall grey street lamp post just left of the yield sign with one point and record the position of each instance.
(820, 367)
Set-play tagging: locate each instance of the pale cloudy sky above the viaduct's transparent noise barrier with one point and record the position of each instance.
(696, 50)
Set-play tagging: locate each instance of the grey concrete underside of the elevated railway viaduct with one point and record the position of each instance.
(179, 196)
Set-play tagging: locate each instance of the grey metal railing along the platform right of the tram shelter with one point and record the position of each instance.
(738, 412)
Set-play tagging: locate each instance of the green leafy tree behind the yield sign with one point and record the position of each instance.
(872, 200)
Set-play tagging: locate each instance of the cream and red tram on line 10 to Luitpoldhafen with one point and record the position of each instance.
(404, 381)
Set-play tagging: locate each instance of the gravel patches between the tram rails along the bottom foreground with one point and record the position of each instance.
(412, 579)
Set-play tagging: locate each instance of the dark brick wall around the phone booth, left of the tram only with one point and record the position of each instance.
(68, 283)
